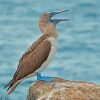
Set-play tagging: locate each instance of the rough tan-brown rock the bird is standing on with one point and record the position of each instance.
(60, 89)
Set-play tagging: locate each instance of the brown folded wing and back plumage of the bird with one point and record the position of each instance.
(31, 59)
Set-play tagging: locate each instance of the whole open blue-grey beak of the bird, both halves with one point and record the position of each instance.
(56, 21)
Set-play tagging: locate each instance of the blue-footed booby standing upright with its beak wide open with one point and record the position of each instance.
(38, 56)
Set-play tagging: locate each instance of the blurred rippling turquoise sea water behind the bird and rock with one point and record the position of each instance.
(78, 53)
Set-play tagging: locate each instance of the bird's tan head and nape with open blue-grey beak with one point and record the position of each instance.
(47, 18)
